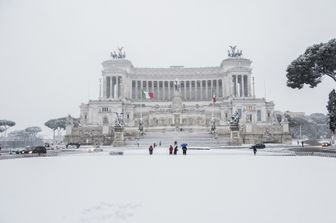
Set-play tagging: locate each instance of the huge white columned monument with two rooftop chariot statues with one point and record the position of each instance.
(196, 99)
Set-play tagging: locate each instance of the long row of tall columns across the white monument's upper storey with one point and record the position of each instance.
(191, 90)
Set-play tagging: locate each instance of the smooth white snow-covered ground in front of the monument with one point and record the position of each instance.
(204, 186)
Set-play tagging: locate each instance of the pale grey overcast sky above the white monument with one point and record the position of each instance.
(51, 51)
